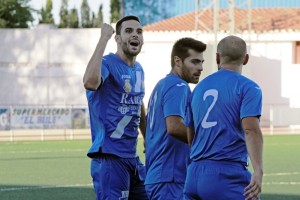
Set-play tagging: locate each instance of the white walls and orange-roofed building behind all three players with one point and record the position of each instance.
(48, 61)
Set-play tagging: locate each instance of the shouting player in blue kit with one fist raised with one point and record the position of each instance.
(115, 89)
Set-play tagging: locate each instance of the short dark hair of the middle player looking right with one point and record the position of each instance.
(182, 46)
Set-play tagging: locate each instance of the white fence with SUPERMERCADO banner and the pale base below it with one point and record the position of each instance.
(41, 122)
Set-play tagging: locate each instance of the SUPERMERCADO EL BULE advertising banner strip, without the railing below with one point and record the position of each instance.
(43, 117)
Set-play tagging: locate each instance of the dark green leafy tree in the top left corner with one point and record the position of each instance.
(15, 14)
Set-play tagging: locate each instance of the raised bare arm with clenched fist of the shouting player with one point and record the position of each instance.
(92, 75)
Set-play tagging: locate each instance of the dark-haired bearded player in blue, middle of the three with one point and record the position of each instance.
(167, 151)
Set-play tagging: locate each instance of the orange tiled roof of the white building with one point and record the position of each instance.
(263, 20)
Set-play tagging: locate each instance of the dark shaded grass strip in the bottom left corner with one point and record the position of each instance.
(46, 193)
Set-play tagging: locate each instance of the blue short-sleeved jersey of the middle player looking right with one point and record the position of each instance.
(166, 156)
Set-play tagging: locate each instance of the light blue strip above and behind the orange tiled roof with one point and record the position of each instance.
(152, 11)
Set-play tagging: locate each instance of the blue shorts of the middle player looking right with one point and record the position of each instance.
(165, 191)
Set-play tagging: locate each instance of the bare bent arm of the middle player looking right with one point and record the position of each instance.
(176, 128)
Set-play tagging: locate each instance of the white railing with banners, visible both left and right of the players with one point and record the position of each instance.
(68, 122)
